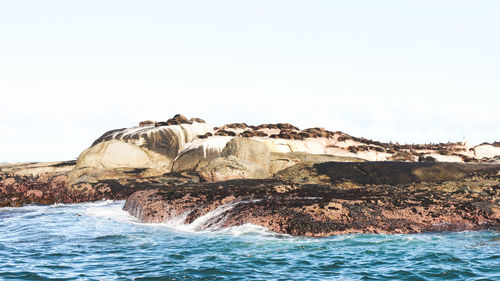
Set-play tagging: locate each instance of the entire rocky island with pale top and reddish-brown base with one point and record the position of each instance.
(312, 181)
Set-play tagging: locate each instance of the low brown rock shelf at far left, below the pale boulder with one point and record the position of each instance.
(49, 183)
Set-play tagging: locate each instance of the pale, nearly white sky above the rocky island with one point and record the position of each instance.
(406, 71)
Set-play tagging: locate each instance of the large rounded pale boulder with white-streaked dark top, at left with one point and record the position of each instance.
(151, 146)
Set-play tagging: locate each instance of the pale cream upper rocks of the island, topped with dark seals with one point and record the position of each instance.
(181, 144)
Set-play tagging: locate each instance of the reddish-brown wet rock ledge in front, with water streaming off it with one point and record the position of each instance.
(321, 210)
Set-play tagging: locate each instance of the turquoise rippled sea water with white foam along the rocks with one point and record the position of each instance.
(99, 241)
